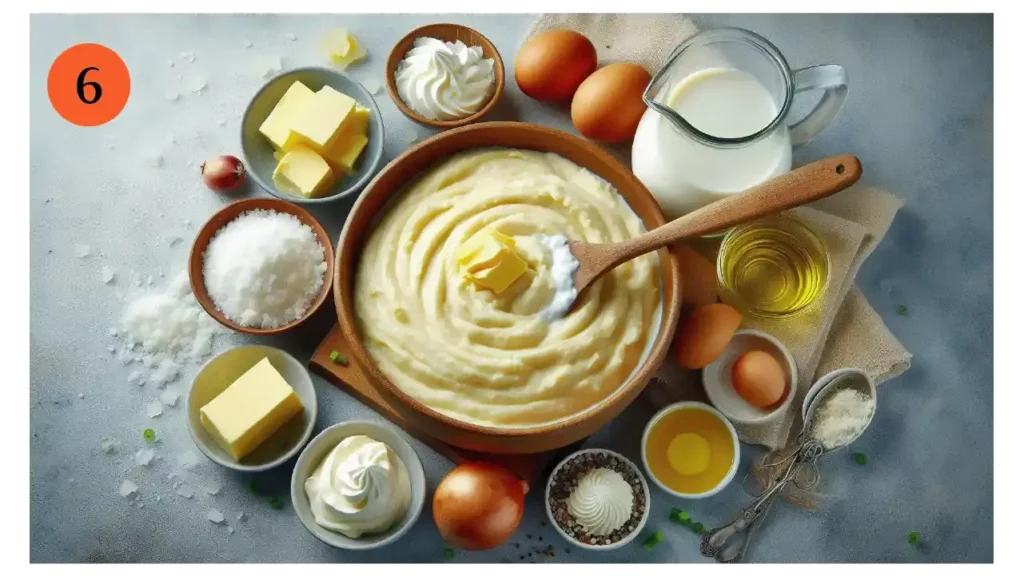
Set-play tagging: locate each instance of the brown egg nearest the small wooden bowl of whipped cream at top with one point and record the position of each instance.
(552, 65)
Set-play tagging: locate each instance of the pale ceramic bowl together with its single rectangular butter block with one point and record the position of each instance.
(251, 408)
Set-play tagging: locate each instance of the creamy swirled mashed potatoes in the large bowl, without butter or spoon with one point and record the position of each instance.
(493, 359)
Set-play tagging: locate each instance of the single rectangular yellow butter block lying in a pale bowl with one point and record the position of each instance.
(250, 410)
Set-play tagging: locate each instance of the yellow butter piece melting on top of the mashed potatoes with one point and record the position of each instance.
(491, 261)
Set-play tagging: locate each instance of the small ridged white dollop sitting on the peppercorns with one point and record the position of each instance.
(602, 503)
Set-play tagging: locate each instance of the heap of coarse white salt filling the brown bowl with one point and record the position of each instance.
(265, 269)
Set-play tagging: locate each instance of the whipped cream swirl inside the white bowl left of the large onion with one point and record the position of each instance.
(362, 487)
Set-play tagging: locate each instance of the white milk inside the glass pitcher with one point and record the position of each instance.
(686, 175)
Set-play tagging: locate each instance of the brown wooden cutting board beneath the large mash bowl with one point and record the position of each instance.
(532, 468)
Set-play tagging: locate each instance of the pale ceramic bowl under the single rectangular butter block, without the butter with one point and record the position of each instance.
(220, 373)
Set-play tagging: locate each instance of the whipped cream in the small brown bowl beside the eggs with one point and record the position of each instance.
(445, 80)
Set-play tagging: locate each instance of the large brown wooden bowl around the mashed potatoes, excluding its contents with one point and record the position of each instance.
(392, 182)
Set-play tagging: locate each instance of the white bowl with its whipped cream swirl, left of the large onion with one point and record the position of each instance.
(359, 486)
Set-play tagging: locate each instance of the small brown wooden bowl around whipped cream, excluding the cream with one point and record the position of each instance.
(448, 33)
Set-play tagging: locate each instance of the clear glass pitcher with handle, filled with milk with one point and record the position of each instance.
(717, 118)
